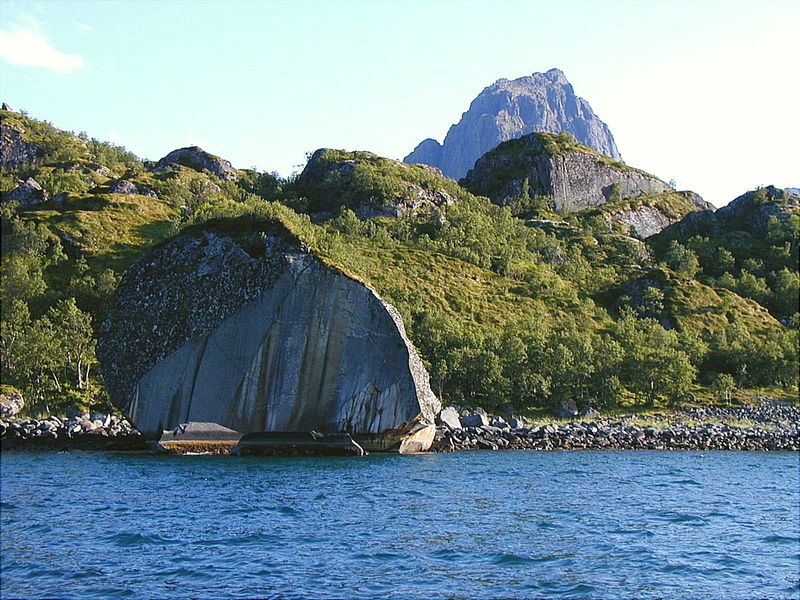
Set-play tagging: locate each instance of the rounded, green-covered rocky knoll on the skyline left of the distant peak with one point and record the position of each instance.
(372, 186)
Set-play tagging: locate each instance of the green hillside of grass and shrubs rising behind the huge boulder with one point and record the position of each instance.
(505, 311)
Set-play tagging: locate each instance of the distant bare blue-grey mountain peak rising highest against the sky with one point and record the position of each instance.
(511, 108)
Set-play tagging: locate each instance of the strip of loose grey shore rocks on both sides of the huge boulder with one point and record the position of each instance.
(770, 426)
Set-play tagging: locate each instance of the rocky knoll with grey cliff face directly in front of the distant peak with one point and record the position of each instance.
(573, 175)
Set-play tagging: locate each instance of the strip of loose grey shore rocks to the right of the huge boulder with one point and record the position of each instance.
(771, 426)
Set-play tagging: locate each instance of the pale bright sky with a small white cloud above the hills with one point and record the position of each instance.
(702, 92)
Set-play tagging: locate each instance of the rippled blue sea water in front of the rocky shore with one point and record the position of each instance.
(465, 525)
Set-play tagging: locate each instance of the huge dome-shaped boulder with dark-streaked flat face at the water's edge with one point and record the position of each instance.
(233, 324)
